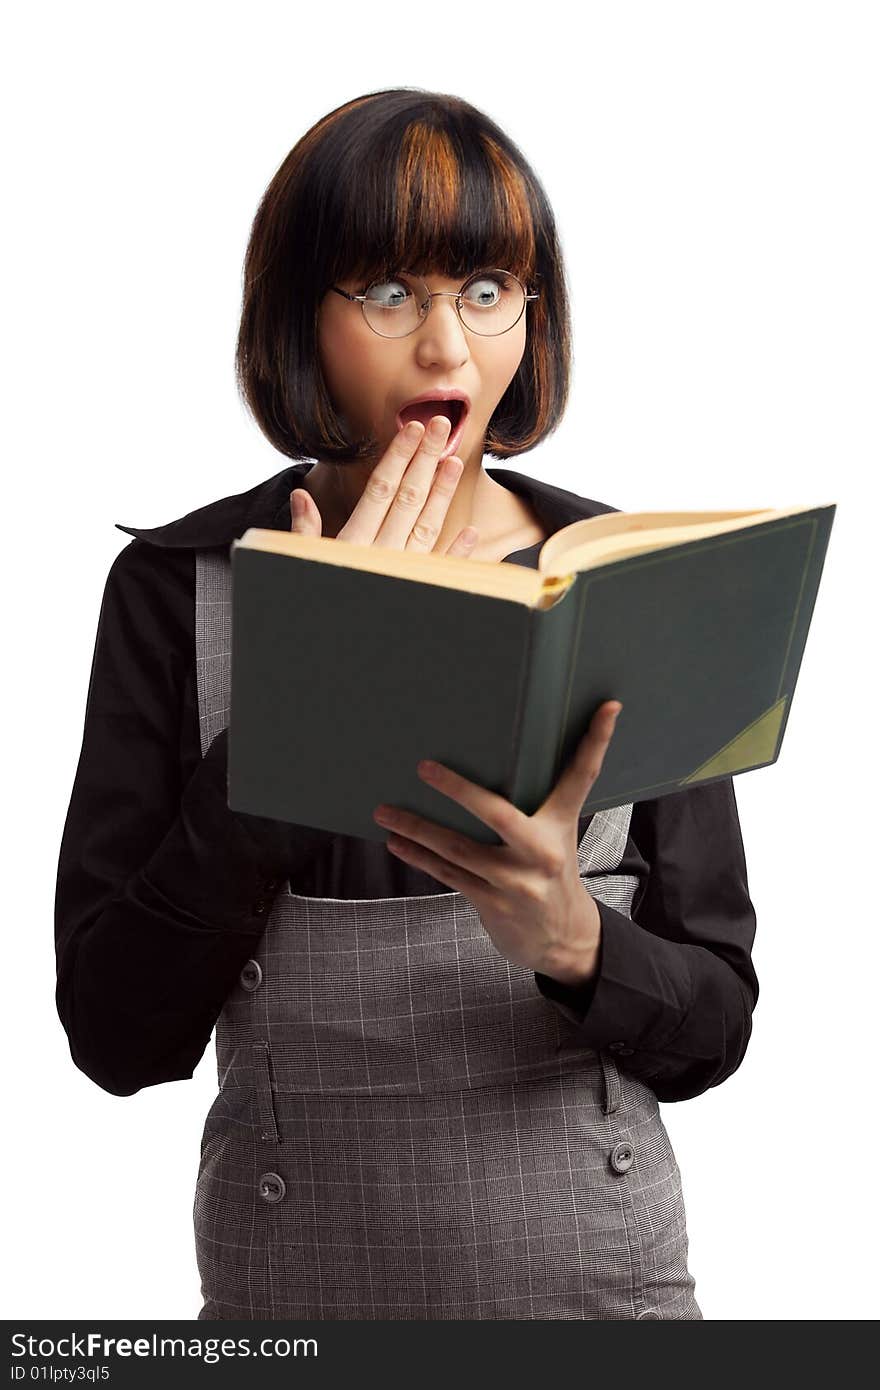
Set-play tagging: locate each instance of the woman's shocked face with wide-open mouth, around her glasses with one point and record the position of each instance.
(370, 377)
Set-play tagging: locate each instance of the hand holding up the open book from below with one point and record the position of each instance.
(528, 890)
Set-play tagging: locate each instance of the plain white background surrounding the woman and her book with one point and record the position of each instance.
(714, 173)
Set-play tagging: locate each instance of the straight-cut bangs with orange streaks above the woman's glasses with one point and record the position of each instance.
(430, 202)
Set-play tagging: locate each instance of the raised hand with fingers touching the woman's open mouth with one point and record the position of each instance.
(407, 498)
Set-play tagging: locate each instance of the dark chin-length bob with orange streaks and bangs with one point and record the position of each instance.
(396, 180)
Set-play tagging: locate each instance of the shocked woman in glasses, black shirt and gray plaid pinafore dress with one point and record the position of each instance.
(440, 1063)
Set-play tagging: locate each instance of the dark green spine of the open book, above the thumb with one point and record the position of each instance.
(544, 696)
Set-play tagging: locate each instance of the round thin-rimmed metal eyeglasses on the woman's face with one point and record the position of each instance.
(489, 304)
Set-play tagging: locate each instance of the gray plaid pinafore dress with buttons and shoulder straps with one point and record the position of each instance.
(407, 1129)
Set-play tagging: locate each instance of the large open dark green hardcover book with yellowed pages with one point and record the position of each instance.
(351, 664)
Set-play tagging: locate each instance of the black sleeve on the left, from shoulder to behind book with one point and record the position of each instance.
(162, 892)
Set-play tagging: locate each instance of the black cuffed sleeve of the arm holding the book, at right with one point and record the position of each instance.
(675, 989)
